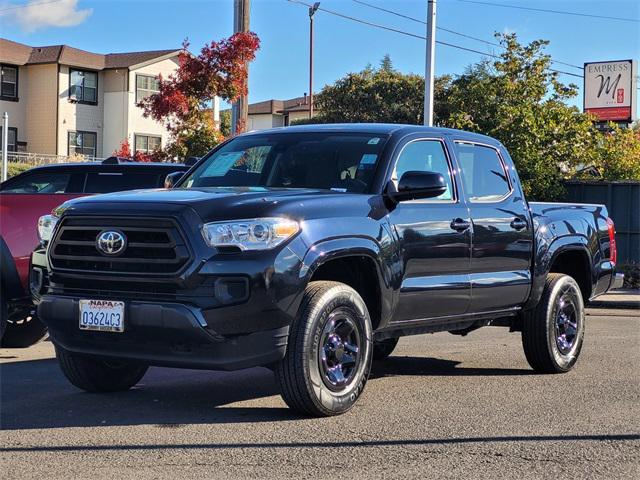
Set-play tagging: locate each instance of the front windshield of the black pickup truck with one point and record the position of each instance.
(337, 161)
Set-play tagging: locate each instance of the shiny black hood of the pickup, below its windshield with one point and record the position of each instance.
(226, 203)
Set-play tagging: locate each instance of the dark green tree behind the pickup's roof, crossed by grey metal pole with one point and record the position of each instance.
(381, 95)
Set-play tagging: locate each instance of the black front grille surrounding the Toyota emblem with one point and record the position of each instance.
(155, 246)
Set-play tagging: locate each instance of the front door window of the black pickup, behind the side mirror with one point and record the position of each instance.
(425, 156)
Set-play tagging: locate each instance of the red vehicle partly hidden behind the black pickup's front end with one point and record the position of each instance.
(31, 194)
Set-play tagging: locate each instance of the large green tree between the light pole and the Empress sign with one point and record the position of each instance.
(521, 102)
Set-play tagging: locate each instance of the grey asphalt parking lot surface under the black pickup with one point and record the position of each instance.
(442, 406)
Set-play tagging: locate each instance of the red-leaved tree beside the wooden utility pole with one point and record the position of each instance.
(184, 97)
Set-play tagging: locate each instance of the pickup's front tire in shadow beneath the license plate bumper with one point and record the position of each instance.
(96, 375)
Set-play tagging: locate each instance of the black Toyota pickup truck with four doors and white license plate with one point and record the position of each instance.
(311, 250)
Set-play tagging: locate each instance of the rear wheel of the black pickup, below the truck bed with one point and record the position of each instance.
(553, 332)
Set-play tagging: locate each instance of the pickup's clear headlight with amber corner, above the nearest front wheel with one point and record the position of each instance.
(251, 234)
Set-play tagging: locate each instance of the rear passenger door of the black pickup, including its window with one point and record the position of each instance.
(502, 234)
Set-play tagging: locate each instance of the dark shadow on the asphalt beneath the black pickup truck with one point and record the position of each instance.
(34, 394)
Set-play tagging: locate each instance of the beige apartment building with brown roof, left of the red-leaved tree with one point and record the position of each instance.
(66, 101)
